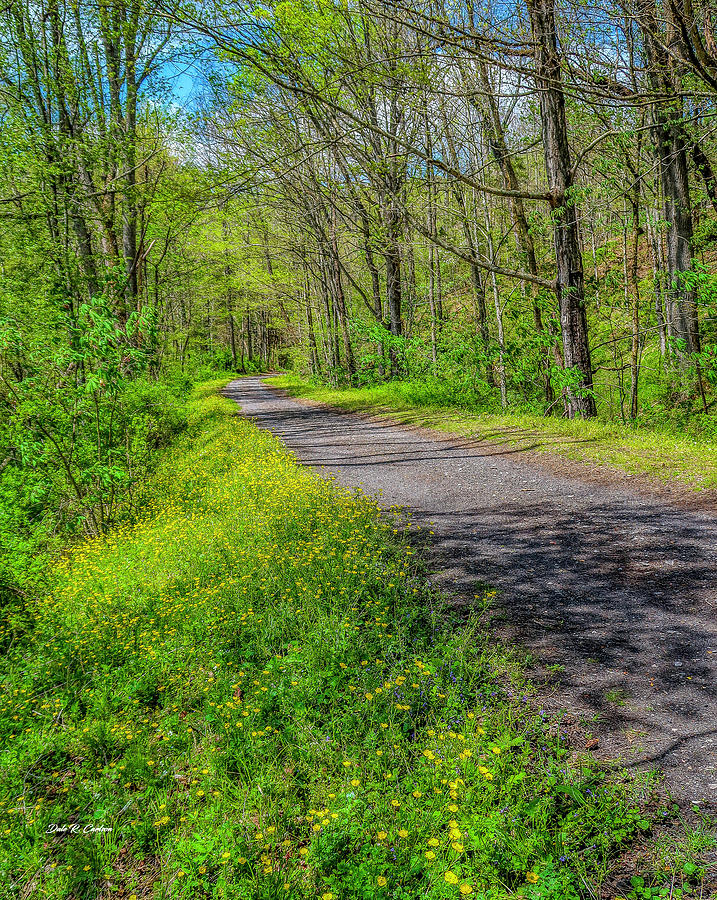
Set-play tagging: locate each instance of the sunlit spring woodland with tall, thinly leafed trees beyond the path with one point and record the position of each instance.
(515, 204)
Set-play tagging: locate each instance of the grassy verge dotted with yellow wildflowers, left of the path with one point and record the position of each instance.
(255, 693)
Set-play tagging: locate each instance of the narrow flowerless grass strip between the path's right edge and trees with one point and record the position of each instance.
(662, 455)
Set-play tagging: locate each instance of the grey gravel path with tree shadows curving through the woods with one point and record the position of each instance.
(617, 589)
